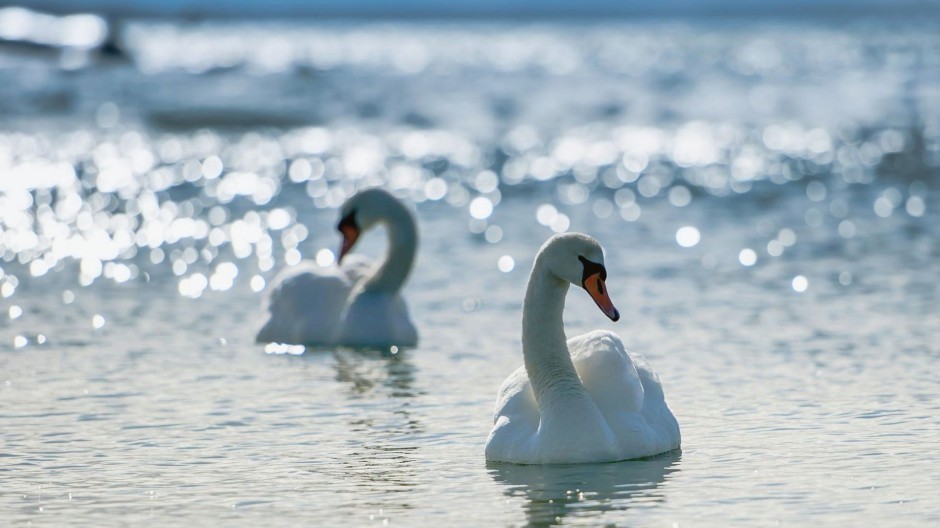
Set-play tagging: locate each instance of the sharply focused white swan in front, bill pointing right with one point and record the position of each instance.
(584, 400)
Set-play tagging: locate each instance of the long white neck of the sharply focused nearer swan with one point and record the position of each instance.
(544, 346)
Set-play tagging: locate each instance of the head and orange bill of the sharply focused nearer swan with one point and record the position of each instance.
(579, 259)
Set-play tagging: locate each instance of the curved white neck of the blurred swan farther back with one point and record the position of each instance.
(402, 246)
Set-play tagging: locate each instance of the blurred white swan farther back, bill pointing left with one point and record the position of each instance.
(355, 303)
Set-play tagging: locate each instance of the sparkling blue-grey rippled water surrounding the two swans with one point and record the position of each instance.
(767, 196)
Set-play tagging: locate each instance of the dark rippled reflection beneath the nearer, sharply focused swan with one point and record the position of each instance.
(552, 492)
